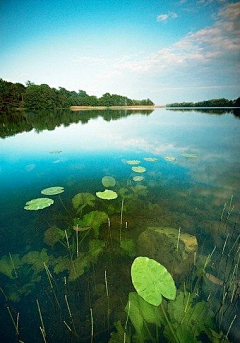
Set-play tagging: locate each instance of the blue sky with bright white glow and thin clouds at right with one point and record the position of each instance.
(165, 50)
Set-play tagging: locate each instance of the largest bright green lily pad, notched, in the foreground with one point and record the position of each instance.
(152, 280)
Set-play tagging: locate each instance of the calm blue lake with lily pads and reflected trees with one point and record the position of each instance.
(161, 184)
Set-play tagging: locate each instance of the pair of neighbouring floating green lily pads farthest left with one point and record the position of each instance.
(41, 203)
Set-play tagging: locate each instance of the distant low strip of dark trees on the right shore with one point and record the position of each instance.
(208, 103)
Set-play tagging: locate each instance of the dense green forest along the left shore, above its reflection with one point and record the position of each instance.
(42, 97)
